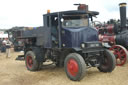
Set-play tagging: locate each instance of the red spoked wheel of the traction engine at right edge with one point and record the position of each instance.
(120, 53)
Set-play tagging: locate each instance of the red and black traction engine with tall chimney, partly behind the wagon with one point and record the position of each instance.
(114, 35)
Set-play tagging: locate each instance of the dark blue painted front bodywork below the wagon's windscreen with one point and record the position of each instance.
(73, 37)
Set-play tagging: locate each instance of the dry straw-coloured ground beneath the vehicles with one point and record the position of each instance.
(14, 72)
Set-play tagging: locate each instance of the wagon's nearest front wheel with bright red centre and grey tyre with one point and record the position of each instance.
(75, 66)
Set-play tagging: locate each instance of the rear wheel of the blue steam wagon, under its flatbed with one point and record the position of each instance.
(31, 63)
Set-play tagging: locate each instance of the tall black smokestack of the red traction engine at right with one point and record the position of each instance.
(123, 14)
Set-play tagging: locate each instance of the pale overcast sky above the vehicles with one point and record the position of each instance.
(29, 12)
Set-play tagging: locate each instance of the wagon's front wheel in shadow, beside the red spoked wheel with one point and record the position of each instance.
(108, 63)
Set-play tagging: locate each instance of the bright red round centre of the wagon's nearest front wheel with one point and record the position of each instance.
(72, 67)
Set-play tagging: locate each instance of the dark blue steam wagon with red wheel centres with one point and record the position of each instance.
(67, 39)
